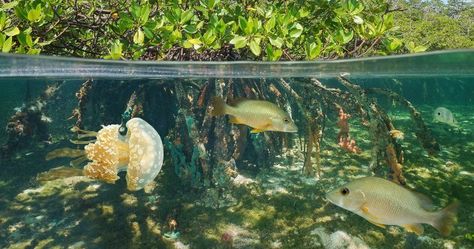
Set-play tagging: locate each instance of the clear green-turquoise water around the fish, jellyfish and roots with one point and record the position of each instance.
(282, 208)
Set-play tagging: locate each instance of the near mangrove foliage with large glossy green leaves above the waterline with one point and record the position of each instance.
(268, 30)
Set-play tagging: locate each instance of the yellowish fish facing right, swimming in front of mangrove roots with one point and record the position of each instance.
(259, 114)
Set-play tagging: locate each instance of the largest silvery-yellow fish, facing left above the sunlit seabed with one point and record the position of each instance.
(383, 202)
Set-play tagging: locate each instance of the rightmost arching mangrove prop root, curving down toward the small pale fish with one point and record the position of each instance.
(422, 132)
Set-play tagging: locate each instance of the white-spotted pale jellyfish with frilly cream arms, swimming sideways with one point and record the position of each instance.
(139, 152)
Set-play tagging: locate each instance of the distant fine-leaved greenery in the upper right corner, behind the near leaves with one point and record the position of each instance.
(436, 25)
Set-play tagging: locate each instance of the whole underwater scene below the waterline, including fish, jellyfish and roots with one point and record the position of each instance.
(362, 153)
